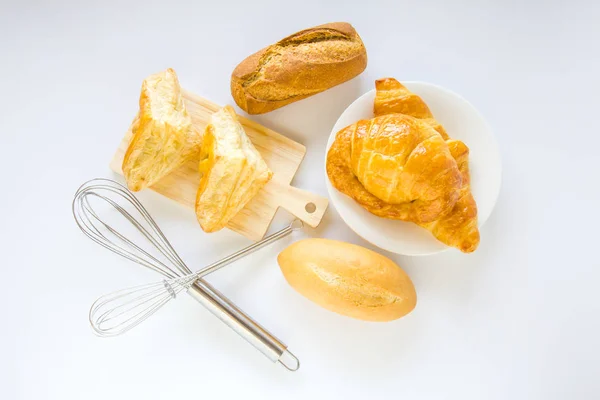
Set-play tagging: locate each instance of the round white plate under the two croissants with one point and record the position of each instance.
(462, 121)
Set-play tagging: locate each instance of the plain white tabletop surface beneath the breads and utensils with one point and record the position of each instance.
(518, 319)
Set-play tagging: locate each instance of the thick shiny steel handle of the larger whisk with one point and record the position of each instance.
(246, 327)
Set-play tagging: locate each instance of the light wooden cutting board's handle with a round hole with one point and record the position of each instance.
(307, 206)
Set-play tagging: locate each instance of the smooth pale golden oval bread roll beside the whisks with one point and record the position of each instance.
(348, 279)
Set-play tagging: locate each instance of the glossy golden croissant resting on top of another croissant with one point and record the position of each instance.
(395, 166)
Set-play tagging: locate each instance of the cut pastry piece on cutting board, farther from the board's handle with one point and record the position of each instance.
(162, 134)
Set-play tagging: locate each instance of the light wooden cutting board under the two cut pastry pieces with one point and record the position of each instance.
(282, 155)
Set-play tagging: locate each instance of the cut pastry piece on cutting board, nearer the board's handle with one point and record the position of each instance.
(232, 171)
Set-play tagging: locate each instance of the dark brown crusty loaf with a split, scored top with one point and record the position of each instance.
(303, 64)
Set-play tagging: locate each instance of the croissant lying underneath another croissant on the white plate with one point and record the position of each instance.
(457, 228)
